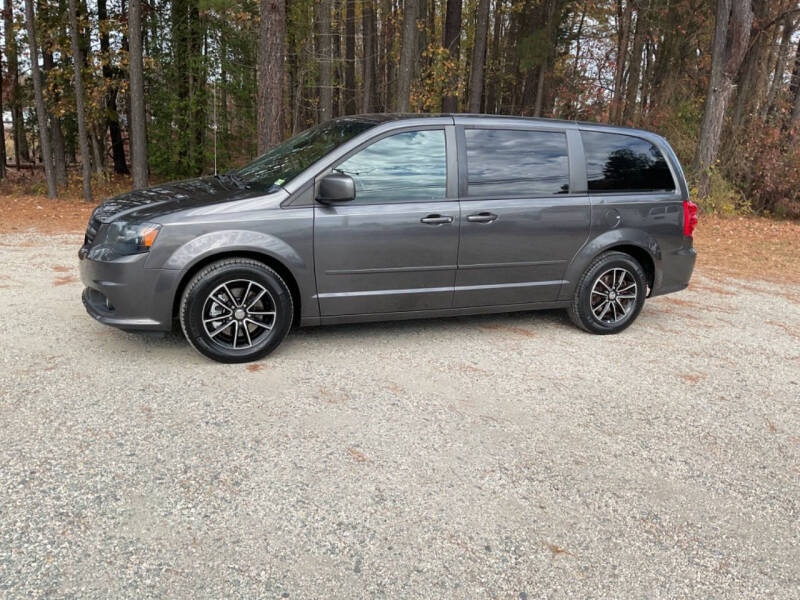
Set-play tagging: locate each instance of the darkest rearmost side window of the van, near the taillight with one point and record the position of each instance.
(623, 163)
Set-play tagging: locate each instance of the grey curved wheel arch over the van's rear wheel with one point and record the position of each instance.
(624, 236)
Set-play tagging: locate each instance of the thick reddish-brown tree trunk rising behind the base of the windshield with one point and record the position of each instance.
(271, 56)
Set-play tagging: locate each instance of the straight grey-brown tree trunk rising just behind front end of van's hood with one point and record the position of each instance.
(138, 133)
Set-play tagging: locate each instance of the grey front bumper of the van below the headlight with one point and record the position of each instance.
(124, 294)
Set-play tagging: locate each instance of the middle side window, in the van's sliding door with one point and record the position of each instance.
(502, 162)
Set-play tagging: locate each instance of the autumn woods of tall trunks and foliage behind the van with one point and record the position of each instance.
(168, 89)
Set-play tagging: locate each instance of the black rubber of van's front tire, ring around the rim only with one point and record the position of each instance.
(196, 295)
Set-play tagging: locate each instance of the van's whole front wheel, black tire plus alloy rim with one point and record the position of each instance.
(245, 279)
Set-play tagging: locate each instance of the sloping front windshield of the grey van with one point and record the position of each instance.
(288, 159)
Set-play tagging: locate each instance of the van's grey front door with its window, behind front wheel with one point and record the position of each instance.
(395, 246)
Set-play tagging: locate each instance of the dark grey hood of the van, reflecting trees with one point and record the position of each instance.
(171, 197)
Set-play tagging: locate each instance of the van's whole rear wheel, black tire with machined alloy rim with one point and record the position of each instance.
(588, 304)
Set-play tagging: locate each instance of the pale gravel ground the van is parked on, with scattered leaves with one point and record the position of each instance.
(505, 456)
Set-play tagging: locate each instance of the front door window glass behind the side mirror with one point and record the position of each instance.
(406, 167)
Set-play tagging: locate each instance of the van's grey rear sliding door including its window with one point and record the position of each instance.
(521, 223)
